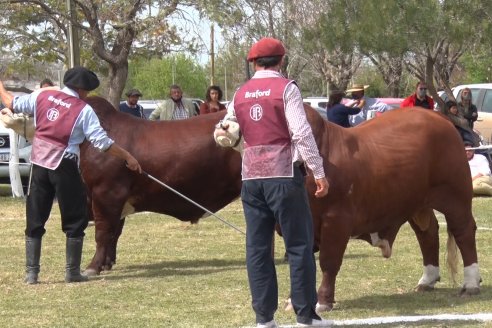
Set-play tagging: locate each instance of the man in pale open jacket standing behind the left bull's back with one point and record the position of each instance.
(175, 108)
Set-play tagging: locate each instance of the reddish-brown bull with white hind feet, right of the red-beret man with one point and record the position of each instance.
(390, 170)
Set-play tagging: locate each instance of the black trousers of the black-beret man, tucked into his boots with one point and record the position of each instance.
(66, 184)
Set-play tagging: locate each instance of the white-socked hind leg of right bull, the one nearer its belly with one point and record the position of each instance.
(426, 228)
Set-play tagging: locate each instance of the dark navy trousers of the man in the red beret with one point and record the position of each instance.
(282, 200)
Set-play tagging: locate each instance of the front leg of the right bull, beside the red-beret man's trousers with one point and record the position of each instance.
(333, 240)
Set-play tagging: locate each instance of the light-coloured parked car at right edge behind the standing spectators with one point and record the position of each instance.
(482, 98)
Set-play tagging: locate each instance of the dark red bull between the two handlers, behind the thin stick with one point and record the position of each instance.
(181, 154)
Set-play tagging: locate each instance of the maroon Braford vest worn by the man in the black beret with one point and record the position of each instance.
(56, 114)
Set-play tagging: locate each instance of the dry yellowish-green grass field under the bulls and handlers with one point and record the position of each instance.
(173, 274)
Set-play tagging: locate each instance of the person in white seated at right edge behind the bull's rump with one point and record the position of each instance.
(480, 172)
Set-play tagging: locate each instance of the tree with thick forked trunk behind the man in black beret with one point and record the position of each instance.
(109, 29)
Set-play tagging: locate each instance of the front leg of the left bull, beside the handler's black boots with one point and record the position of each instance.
(107, 223)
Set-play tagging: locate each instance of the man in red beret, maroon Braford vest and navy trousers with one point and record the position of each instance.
(278, 142)
